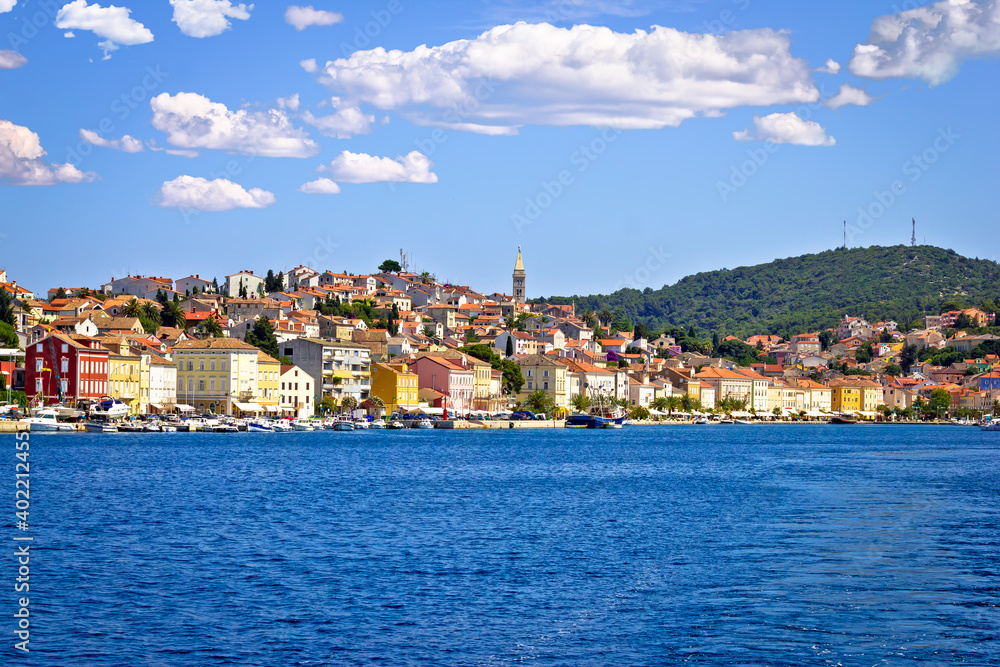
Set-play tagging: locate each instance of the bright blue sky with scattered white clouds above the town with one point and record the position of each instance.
(199, 136)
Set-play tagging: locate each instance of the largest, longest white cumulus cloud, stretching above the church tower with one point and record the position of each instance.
(514, 75)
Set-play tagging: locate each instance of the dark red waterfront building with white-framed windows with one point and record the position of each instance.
(66, 367)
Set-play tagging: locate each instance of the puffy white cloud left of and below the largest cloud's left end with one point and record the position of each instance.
(194, 121)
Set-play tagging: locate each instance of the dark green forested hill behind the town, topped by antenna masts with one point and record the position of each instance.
(810, 292)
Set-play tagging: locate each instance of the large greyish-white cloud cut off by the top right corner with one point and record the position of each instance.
(929, 42)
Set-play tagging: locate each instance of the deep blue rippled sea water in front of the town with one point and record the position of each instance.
(763, 545)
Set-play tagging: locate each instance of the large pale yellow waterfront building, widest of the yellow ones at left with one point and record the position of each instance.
(217, 375)
